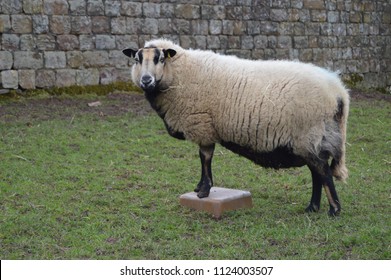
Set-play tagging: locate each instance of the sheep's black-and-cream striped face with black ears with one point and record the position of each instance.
(150, 70)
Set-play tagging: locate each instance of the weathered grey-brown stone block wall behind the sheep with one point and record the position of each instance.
(46, 43)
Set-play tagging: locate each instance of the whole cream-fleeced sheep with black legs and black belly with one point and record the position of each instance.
(279, 114)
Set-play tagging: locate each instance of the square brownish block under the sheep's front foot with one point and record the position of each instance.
(219, 201)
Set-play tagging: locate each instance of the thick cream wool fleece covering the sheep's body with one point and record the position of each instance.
(260, 105)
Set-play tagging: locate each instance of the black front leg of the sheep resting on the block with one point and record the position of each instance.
(206, 182)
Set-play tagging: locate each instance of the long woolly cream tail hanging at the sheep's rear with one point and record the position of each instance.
(338, 166)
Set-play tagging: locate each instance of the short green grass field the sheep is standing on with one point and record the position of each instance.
(107, 187)
